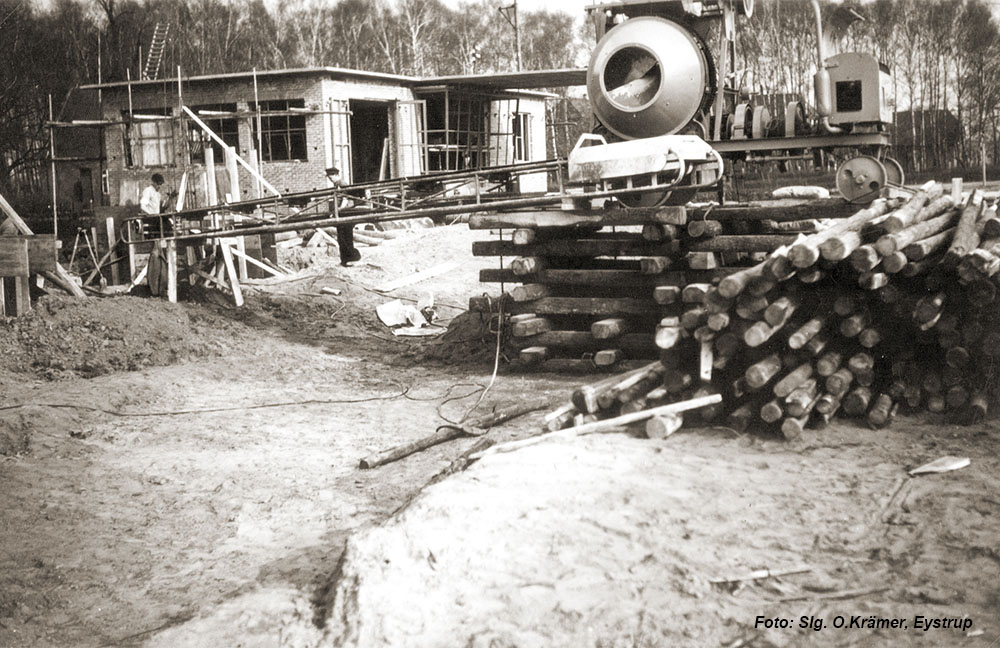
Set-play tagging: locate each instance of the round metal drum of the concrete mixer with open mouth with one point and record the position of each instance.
(648, 77)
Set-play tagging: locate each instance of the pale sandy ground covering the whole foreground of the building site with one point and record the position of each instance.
(211, 508)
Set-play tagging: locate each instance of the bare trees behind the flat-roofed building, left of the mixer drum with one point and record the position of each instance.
(50, 51)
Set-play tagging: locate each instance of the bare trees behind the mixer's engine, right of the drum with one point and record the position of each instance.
(942, 53)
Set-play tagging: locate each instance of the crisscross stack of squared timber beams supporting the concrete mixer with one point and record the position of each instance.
(592, 285)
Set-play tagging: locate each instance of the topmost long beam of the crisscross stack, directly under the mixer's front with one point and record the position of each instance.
(575, 218)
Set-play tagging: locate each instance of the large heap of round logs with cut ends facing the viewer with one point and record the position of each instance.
(892, 308)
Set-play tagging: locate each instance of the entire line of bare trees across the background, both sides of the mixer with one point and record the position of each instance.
(943, 54)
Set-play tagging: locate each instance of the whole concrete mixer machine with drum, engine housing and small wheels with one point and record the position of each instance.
(667, 118)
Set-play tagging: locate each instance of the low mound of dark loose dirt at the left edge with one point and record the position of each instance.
(65, 337)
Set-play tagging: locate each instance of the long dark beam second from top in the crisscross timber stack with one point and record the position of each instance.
(593, 246)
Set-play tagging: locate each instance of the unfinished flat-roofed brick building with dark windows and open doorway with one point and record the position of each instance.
(291, 125)
